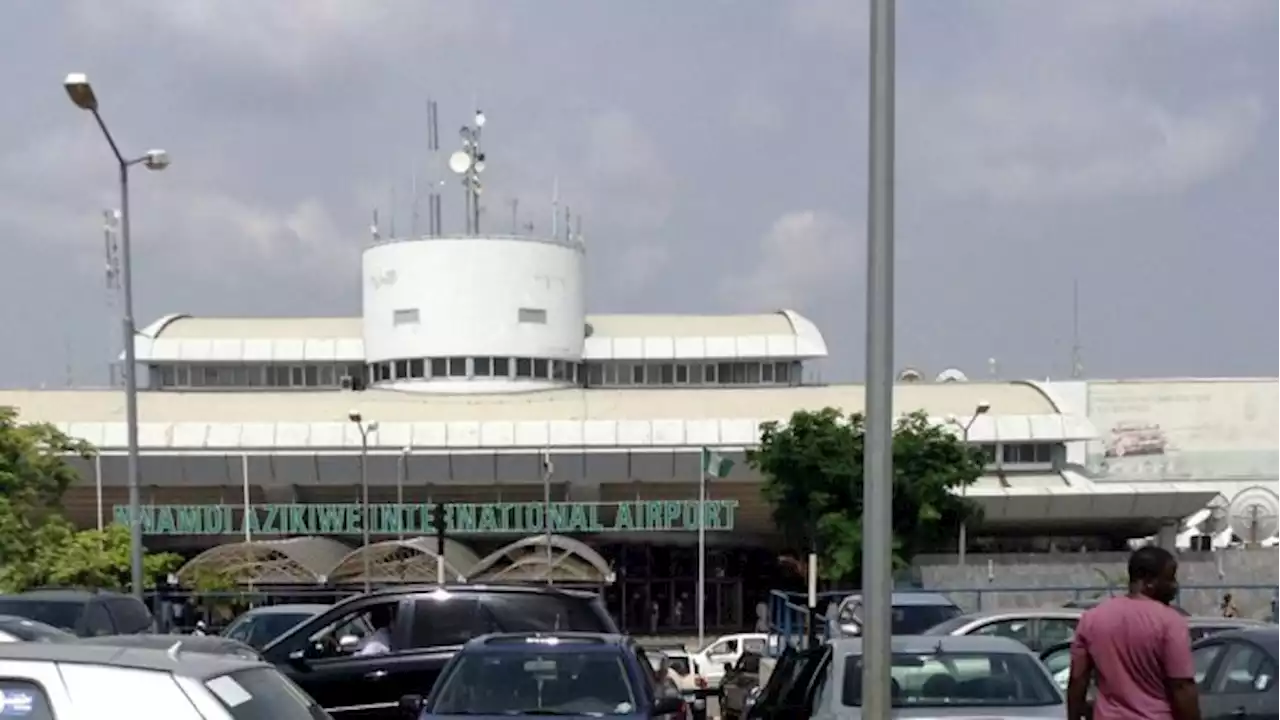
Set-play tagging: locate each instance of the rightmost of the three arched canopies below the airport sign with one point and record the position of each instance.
(528, 560)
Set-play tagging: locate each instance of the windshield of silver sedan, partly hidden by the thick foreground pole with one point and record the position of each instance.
(959, 680)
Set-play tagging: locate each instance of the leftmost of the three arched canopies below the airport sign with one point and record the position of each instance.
(305, 560)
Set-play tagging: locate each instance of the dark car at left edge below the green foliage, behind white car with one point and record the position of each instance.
(85, 613)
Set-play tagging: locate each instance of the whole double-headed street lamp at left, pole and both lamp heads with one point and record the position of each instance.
(83, 95)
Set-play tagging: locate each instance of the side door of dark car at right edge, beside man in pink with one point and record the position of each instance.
(1242, 685)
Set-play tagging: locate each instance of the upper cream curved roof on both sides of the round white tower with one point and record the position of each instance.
(783, 335)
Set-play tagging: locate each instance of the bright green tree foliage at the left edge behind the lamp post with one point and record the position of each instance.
(38, 545)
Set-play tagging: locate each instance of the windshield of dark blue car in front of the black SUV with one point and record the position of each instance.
(536, 681)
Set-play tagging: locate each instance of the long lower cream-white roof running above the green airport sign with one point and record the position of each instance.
(569, 418)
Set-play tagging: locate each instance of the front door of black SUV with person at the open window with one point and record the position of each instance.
(346, 685)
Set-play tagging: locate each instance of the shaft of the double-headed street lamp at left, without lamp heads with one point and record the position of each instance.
(131, 379)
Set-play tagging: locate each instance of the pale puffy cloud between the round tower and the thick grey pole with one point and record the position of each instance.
(804, 258)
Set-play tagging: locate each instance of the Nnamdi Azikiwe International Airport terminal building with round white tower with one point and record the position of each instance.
(482, 384)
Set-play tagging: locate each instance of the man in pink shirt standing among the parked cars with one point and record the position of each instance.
(1137, 649)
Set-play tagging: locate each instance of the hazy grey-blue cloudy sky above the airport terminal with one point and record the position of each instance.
(716, 152)
